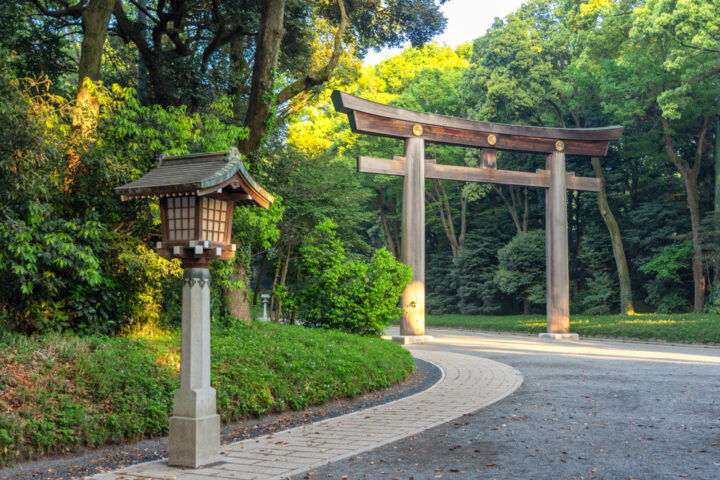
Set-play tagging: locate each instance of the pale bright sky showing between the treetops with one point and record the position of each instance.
(467, 20)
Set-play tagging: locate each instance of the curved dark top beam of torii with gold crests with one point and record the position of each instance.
(374, 118)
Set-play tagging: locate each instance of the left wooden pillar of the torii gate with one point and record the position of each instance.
(412, 323)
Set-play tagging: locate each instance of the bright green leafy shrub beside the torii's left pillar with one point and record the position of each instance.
(336, 292)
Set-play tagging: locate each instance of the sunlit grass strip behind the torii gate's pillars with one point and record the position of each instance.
(688, 327)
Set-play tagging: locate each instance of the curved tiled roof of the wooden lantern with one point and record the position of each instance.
(199, 174)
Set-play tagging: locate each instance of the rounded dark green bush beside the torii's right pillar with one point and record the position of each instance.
(521, 267)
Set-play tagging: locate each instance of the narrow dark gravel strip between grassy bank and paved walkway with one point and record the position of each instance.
(115, 457)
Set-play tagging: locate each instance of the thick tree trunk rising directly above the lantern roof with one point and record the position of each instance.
(262, 98)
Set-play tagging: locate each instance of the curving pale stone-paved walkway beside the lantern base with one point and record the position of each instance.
(468, 383)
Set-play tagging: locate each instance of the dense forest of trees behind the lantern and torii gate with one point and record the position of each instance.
(94, 90)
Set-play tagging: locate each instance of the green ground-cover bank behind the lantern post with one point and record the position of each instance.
(61, 392)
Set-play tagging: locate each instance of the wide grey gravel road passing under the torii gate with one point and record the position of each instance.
(593, 410)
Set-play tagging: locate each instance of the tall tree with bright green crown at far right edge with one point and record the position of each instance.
(666, 75)
